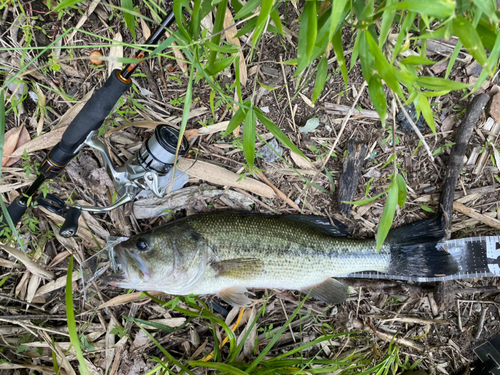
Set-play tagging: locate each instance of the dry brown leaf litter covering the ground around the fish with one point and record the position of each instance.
(430, 329)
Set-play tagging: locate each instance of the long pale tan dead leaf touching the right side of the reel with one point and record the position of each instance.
(221, 176)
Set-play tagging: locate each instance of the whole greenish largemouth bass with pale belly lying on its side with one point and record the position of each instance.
(226, 253)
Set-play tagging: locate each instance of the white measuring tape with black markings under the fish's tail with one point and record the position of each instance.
(476, 257)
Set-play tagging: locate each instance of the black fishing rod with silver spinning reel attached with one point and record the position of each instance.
(143, 171)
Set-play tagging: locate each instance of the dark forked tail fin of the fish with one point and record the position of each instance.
(415, 250)
